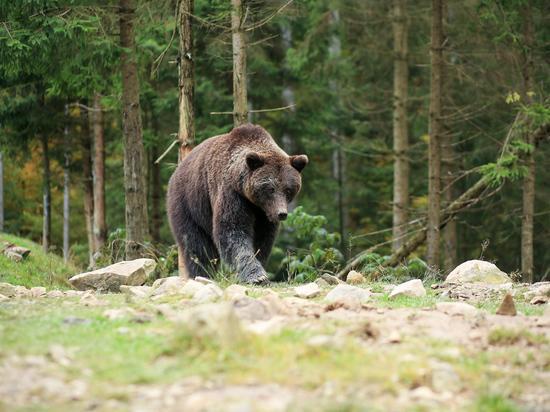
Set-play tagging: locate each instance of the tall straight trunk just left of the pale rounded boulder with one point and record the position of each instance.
(435, 131)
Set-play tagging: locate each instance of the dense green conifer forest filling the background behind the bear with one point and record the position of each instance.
(427, 131)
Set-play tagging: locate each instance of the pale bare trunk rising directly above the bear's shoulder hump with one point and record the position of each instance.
(240, 100)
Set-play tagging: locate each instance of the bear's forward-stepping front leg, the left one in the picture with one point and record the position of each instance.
(233, 230)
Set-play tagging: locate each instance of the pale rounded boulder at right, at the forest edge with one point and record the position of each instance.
(477, 271)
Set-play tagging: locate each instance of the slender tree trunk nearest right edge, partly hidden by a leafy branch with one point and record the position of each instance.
(527, 264)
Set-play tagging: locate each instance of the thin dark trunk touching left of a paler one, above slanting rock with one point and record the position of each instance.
(88, 189)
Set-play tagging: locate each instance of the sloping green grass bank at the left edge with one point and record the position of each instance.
(38, 269)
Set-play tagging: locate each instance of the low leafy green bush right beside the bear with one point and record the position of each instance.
(312, 249)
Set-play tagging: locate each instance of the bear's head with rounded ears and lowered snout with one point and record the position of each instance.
(272, 182)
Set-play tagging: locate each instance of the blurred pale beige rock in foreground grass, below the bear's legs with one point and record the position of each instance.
(212, 321)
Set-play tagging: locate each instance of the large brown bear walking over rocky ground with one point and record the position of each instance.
(227, 197)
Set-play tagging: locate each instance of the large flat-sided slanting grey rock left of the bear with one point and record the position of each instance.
(110, 278)
